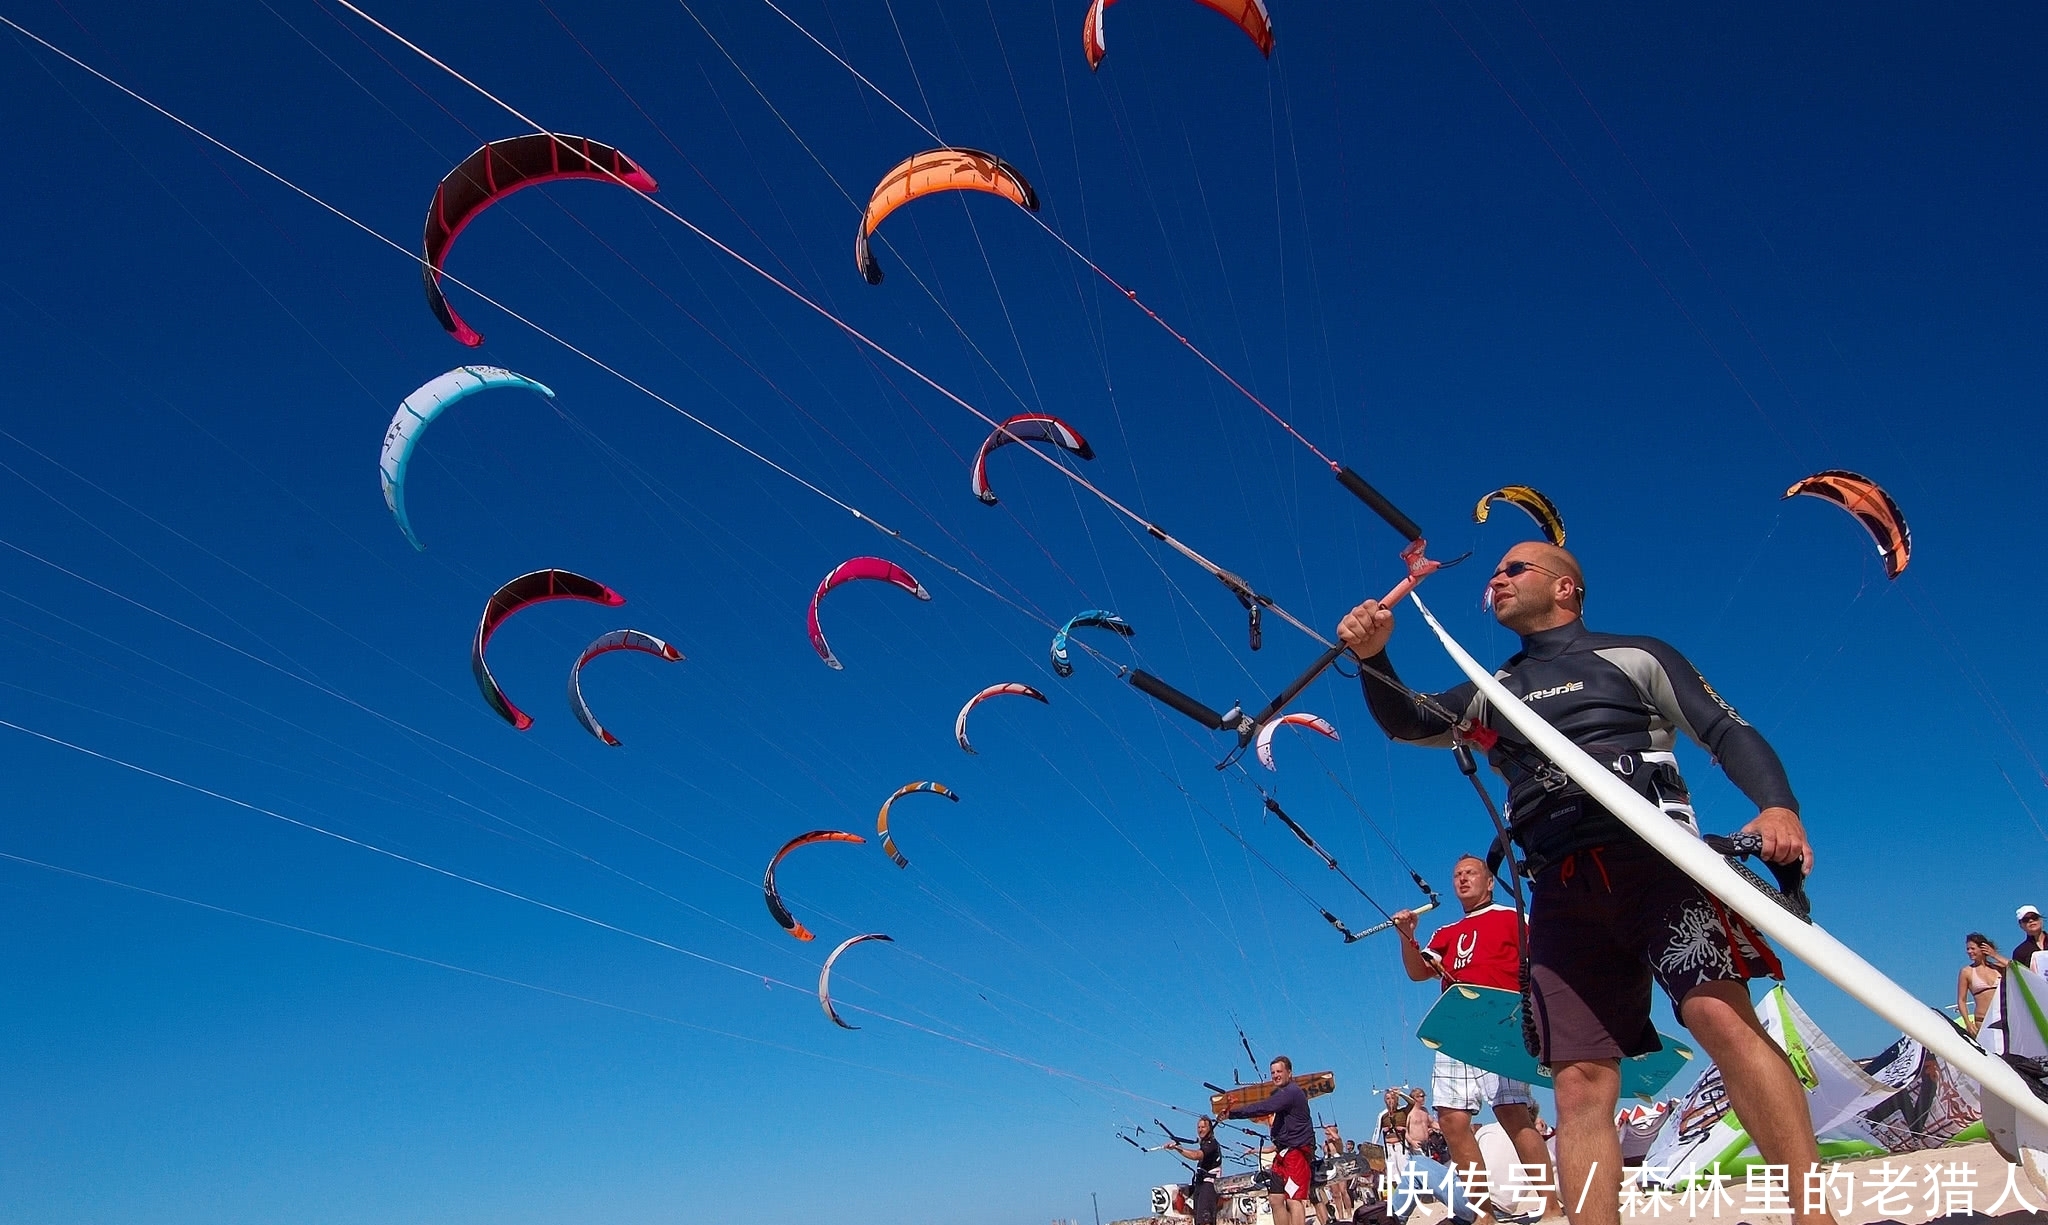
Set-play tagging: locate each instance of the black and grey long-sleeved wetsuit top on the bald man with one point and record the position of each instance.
(1623, 700)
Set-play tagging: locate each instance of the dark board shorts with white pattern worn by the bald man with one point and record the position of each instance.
(1609, 921)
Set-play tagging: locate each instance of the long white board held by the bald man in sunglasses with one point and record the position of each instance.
(1803, 939)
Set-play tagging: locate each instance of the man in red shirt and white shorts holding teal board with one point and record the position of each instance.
(1482, 949)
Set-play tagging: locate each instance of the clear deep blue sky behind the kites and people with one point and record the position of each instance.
(1656, 263)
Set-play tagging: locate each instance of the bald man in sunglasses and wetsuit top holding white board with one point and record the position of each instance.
(1609, 915)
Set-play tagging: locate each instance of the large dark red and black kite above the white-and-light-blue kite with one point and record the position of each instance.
(499, 171)
